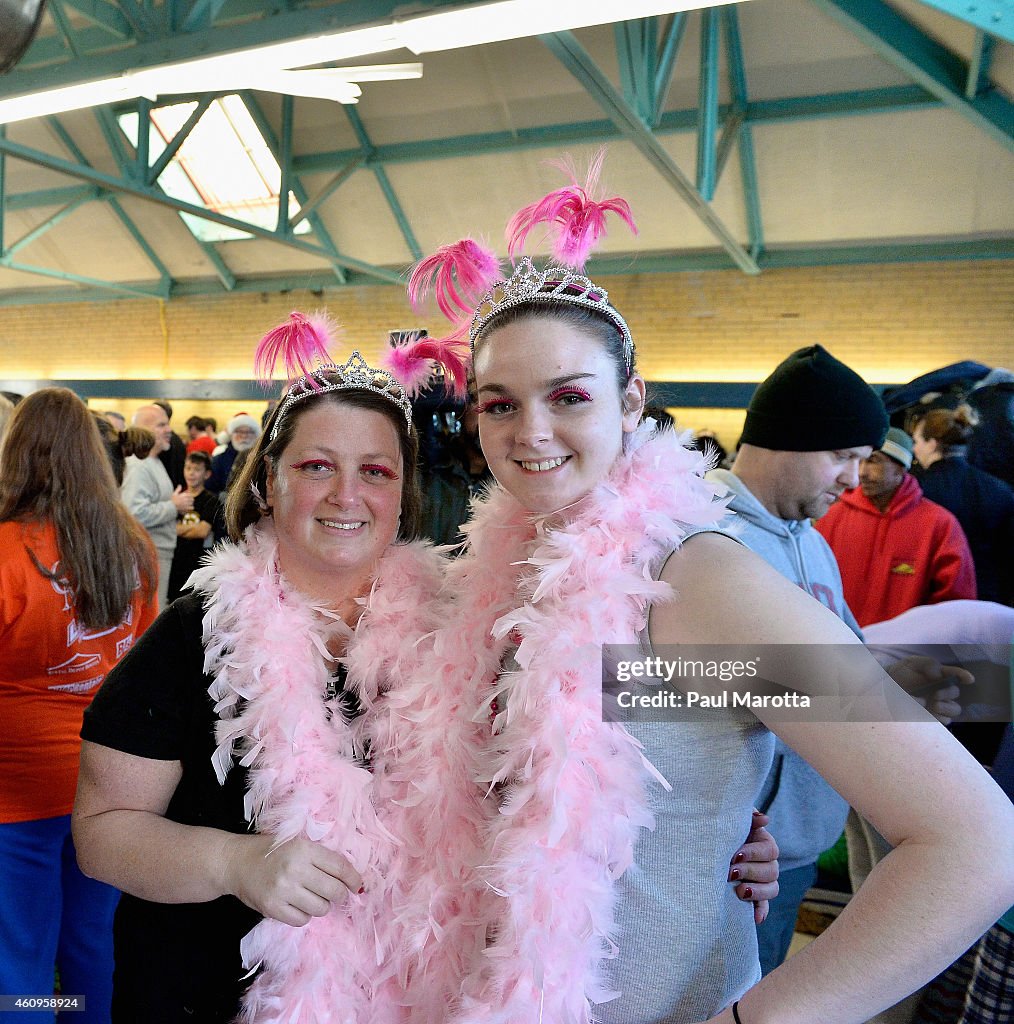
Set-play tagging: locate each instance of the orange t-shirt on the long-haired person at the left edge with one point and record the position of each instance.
(51, 667)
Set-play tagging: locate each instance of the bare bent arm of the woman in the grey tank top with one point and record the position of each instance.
(949, 877)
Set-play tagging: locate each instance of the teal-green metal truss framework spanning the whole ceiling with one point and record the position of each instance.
(97, 38)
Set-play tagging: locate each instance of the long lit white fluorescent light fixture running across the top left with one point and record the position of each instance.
(270, 67)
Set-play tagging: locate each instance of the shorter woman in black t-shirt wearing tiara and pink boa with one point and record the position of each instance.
(226, 781)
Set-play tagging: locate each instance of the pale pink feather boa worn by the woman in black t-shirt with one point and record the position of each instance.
(383, 957)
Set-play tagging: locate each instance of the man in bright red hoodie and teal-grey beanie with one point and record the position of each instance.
(896, 548)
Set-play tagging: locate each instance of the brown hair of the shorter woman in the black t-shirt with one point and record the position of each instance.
(241, 504)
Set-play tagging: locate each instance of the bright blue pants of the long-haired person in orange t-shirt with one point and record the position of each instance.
(52, 914)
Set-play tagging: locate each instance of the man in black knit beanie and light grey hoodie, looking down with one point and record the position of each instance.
(808, 429)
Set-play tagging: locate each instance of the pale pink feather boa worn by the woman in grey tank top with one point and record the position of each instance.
(573, 796)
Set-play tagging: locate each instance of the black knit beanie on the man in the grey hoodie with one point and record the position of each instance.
(813, 403)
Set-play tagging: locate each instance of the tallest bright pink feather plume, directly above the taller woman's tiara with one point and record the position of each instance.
(575, 215)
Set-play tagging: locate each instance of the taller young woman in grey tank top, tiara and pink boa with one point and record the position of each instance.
(596, 522)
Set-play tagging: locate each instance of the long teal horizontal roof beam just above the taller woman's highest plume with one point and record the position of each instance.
(836, 105)
